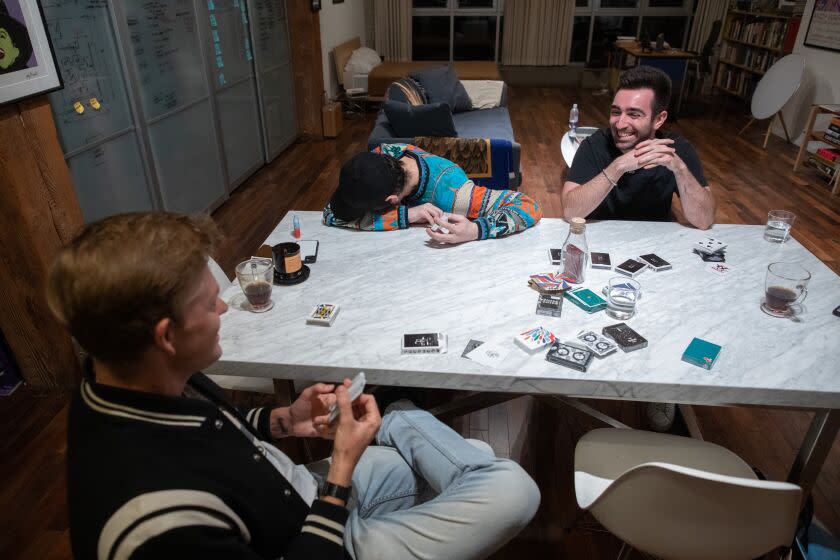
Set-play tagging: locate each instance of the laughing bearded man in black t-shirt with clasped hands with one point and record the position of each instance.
(630, 171)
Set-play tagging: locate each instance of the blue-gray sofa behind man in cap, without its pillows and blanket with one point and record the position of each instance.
(478, 123)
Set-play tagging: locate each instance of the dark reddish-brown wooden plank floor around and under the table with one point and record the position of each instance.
(747, 182)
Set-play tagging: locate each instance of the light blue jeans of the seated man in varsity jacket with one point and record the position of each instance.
(425, 492)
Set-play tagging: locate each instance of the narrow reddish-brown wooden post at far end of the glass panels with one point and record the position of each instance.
(307, 68)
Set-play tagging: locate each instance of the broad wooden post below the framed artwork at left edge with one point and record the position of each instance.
(39, 213)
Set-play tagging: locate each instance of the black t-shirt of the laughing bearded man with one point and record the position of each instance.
(644, 194)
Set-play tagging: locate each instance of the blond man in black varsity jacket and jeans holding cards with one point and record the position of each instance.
(161, 465)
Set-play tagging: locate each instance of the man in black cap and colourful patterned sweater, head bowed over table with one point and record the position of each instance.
(399, 184)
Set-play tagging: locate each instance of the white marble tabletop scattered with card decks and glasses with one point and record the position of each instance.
(390, 283)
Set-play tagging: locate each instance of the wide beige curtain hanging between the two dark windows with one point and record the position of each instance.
(537, 32)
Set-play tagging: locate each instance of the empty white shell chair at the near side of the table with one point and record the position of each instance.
(681, 498)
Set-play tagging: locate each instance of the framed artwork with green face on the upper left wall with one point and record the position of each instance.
(27, 62)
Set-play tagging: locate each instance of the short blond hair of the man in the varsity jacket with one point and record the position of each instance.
(114, 282)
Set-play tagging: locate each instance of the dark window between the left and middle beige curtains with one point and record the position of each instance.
(456, 29)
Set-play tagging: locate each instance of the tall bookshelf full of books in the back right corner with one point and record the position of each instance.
(752, 42)
